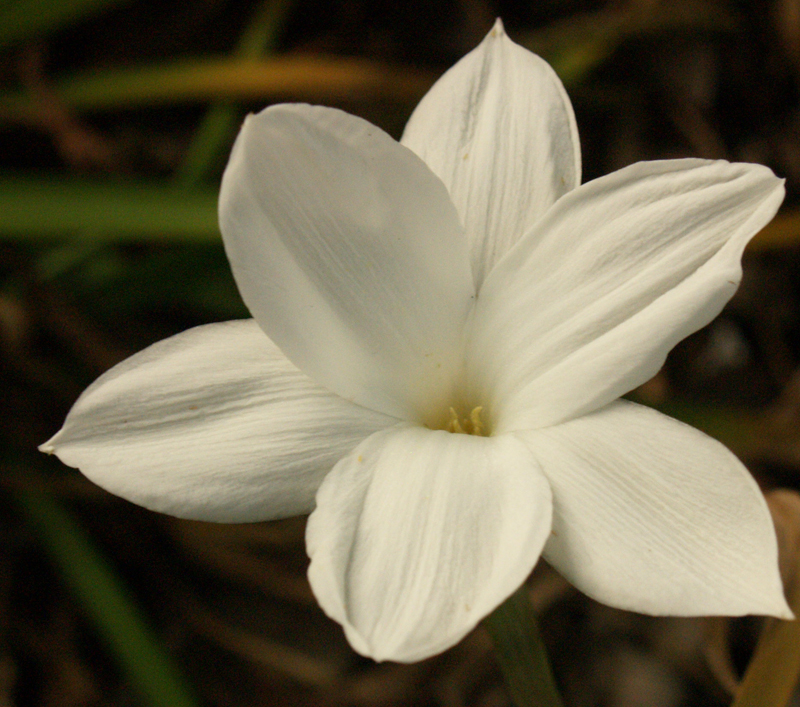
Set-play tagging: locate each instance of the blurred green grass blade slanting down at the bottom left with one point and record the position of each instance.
(106, 600)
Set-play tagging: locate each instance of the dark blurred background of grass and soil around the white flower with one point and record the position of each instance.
(116, 117)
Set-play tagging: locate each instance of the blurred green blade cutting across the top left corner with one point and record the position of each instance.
(23, 19)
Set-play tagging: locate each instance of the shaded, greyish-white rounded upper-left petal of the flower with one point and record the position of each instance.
(348, 252)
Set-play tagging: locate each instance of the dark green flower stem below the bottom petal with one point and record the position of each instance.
(521, 653)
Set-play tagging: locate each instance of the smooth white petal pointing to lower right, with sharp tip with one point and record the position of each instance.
(652, 515)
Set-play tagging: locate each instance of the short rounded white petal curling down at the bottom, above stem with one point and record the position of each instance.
(419, 534)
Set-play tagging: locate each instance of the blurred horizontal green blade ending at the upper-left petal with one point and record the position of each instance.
(111, 211)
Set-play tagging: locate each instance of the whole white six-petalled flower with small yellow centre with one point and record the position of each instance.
(459, 280)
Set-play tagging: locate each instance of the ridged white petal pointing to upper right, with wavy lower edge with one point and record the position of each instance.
(587, 306)
